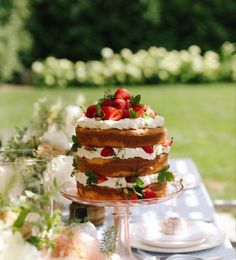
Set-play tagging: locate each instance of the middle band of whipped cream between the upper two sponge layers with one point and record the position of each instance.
(123, 153)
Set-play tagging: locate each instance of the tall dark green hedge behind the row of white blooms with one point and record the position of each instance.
(78, 30)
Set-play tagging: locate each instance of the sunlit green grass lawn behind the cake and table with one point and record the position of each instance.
(201, 118)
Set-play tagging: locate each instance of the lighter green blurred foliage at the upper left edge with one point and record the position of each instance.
(15, 41)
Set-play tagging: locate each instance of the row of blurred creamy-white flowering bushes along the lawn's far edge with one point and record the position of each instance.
(145, 66)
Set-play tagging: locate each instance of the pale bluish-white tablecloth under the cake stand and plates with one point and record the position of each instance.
(191, 204)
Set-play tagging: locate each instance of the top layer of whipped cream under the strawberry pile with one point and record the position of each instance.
(127, 123)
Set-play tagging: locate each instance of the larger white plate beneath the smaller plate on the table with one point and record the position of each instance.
(213, 237)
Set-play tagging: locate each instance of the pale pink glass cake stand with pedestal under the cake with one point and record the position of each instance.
(121, 211)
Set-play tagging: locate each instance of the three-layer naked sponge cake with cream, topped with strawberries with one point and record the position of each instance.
(121, 150)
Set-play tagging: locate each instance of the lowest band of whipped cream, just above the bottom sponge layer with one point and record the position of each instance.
(117, 182)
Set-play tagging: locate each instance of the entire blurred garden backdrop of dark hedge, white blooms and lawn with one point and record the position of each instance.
(180, 55)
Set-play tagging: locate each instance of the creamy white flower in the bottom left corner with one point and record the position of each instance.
(14, 247)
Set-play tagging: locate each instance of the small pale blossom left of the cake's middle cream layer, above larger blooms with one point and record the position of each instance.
(57, 140)
